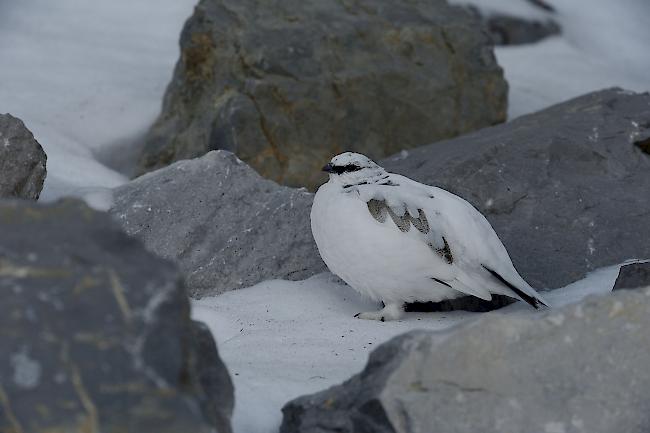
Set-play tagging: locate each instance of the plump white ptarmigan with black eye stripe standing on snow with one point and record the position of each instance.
(399, 241)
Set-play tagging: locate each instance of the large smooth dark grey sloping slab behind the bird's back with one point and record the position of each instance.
(565, 188)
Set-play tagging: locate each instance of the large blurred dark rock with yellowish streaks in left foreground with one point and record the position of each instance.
(96, 332)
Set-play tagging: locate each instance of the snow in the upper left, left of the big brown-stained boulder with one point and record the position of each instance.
(84, 76)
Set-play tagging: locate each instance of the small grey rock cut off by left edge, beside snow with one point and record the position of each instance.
(22, 160)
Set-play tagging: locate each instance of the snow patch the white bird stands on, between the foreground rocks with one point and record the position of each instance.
(284, 339)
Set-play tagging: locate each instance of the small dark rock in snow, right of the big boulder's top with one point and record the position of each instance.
(510, 30)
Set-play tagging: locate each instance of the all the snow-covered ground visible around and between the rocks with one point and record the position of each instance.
(86, 76)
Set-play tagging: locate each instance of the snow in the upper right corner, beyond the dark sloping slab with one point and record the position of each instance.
(603, 44)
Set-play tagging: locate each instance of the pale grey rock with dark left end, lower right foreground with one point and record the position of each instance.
(579, 369)
